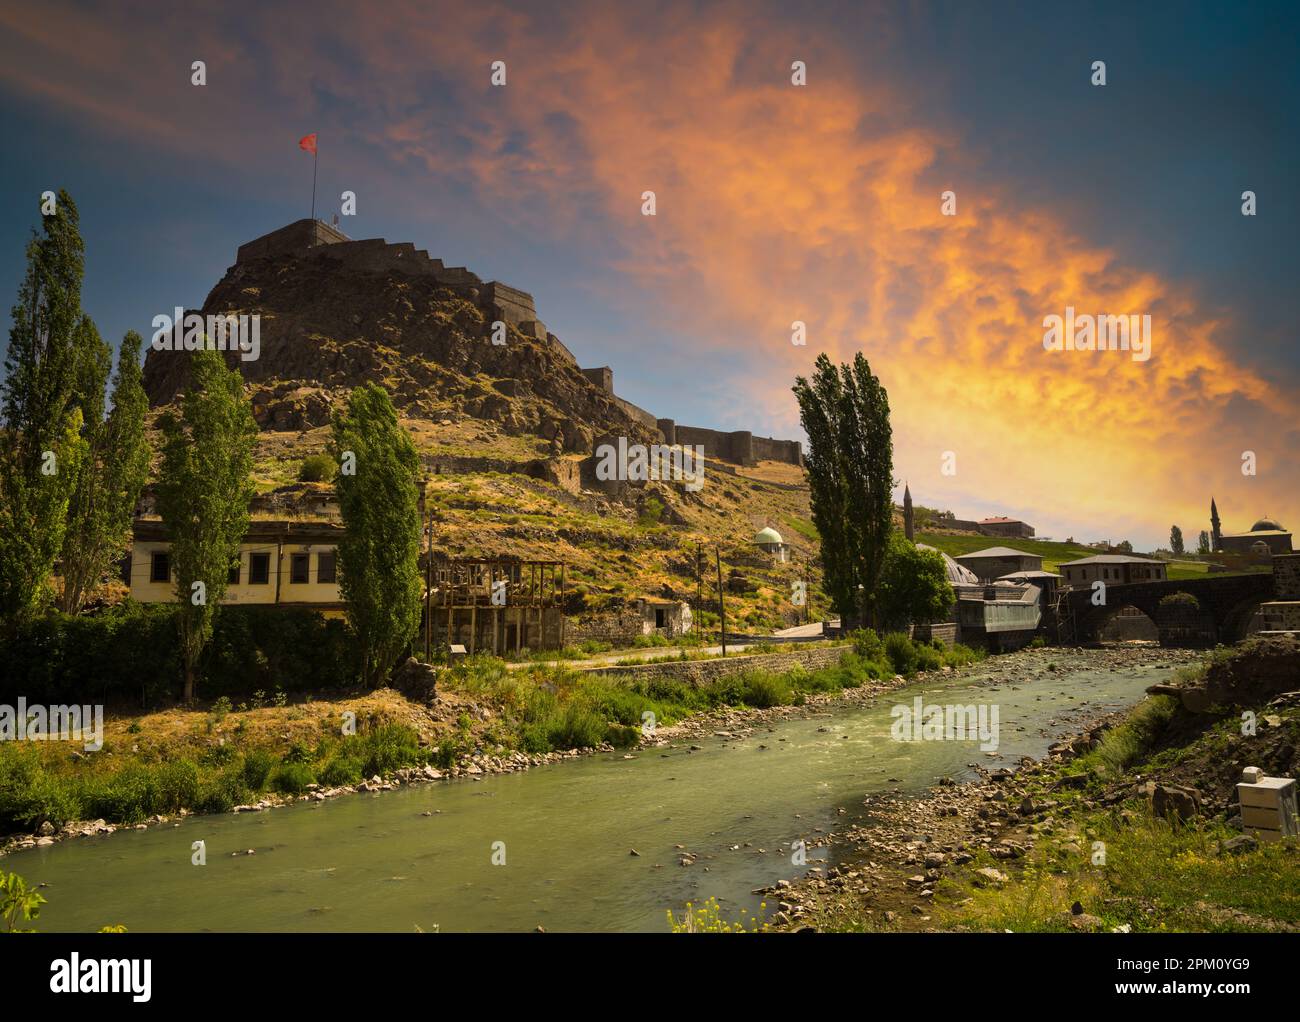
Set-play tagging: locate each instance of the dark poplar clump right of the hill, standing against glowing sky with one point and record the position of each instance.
(846, 415)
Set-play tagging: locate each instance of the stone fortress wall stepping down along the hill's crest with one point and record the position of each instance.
(318, 240)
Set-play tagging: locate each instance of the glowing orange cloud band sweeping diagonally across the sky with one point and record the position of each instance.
(778, 203)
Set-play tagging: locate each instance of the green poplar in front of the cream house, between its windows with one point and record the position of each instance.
(203, 493)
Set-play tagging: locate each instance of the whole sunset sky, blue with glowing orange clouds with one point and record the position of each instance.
(774, 203)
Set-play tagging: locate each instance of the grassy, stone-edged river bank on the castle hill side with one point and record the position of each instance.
(482, 720)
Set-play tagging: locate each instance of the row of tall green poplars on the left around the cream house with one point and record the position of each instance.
(73, 467)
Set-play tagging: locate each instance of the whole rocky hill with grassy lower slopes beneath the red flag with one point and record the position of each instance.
(506, 432)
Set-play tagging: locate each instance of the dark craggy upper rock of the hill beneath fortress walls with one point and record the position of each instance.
(328, 326)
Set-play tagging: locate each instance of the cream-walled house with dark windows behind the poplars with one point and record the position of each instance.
(285, 564)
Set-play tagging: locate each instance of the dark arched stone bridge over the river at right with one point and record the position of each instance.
(1227, 604)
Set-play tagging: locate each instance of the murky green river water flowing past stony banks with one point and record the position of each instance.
(375, 863)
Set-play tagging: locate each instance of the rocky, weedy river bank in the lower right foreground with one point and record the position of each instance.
(1081, 839)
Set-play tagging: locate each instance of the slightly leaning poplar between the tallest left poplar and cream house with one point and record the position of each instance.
(114, 471)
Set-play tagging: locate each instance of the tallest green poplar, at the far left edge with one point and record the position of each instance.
(42, 423)
